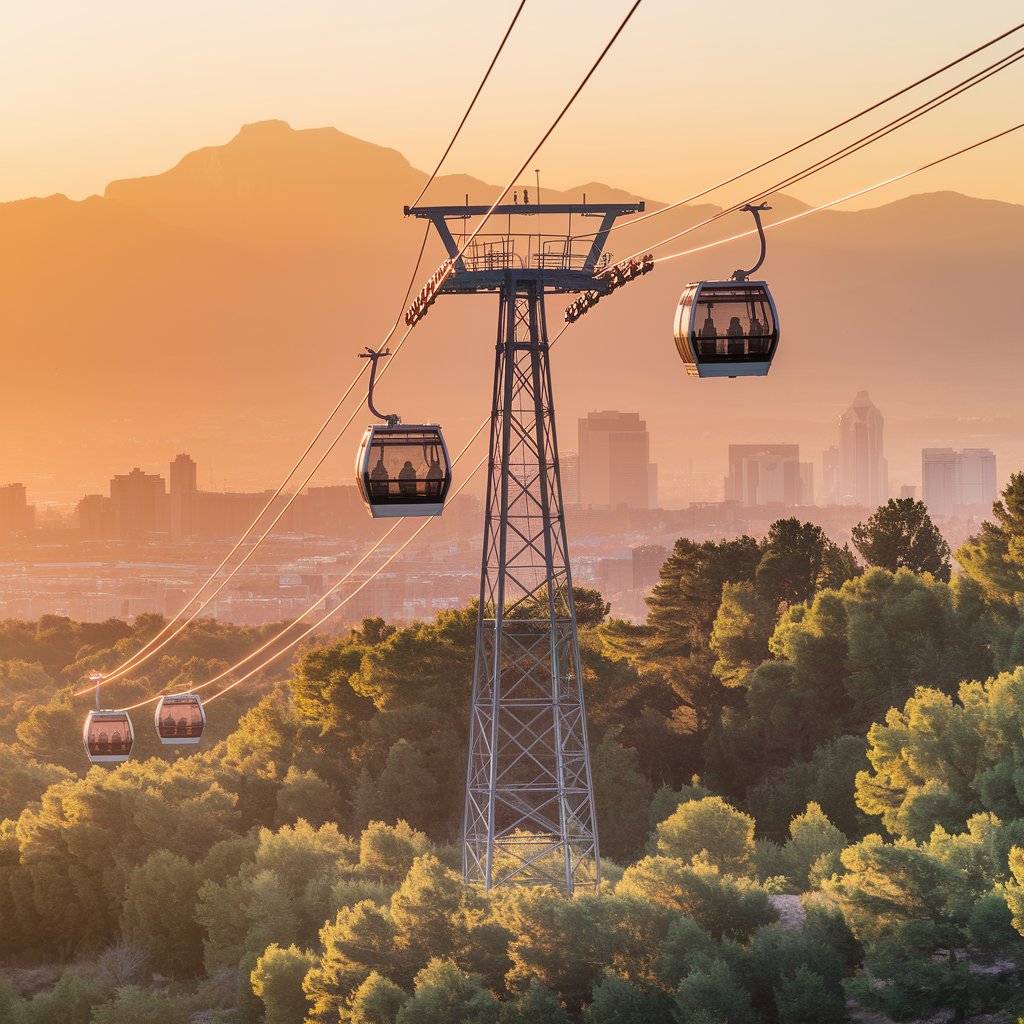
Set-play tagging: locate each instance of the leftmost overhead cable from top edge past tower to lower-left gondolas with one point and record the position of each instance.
(160, 642)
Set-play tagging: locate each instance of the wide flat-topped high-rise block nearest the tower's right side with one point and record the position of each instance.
(615, 462)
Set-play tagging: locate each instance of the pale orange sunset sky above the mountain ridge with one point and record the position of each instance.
(117, 89)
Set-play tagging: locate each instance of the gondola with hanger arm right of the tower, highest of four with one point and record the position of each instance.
(729, 328)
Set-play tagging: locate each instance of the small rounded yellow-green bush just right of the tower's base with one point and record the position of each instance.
(711, 830)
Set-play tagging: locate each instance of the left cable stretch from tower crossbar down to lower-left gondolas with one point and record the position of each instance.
(162, 639)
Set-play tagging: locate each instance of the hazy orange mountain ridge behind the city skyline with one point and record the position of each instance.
(242, 282)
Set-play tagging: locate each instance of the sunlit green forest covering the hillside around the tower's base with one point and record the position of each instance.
(809, 774)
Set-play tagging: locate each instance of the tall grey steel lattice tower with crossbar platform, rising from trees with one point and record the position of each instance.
(530, 803)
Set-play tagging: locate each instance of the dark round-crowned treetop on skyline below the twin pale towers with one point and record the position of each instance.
(902, 535)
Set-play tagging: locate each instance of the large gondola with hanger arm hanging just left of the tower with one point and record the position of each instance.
(402, 471)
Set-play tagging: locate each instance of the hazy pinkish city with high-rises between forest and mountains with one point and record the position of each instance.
(148, 544)
